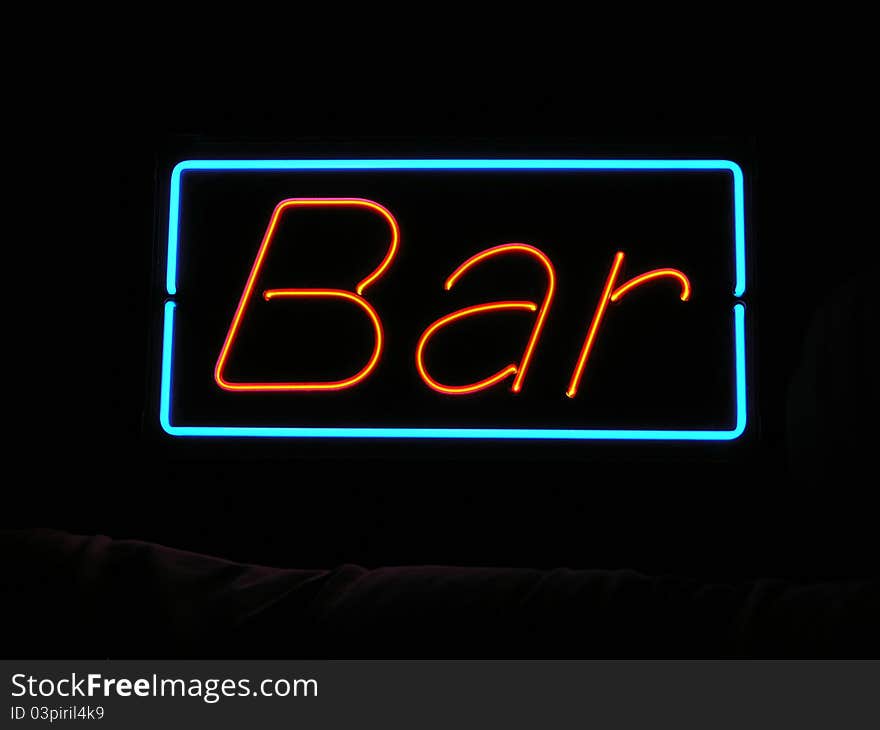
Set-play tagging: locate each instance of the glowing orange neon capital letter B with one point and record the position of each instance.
(315, 293)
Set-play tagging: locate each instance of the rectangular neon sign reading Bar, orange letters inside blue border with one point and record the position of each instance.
(368, 373)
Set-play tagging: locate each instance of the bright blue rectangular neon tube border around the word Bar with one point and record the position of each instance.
(456, 433)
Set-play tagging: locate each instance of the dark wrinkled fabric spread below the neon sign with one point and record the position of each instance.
(71, 595)
